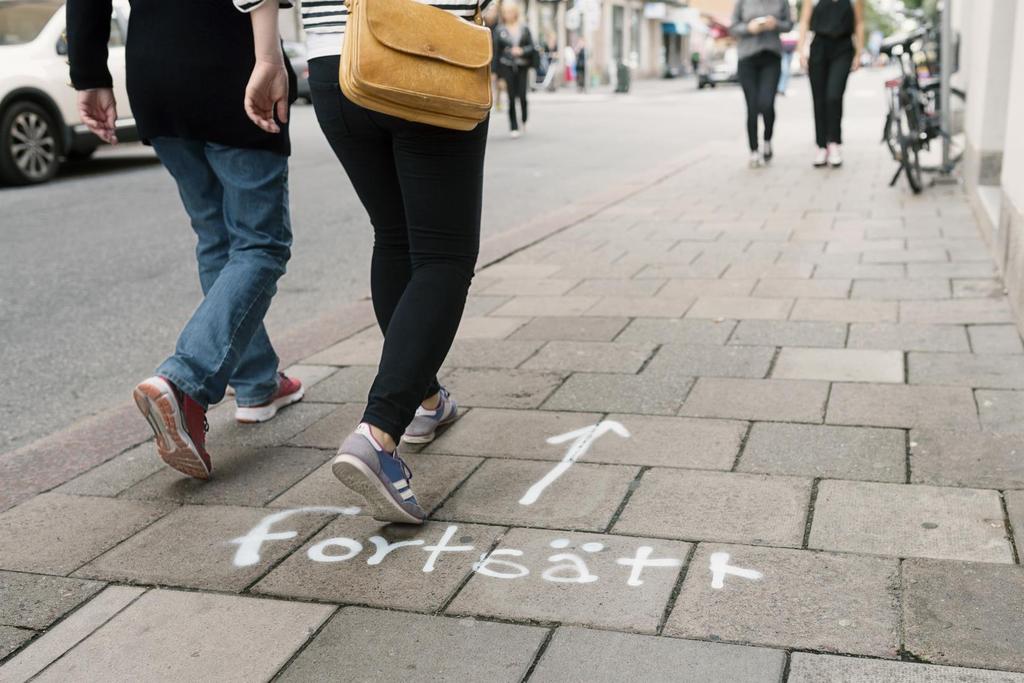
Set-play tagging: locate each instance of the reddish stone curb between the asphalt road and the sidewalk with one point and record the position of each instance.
(56, 459)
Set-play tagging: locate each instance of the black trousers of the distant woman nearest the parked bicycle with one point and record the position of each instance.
(829, 67)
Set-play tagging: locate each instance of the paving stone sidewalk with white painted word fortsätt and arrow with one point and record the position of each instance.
(796, 406)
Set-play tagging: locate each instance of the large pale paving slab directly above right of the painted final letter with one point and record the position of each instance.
(905, 521)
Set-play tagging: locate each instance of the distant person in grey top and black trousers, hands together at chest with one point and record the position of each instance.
(758, 25)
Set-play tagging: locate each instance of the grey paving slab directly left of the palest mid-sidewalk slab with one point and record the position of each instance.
(704, 361)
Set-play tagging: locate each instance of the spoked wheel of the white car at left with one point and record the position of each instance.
(29, 145)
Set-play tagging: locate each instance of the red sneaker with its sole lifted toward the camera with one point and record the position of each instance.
(180, 425)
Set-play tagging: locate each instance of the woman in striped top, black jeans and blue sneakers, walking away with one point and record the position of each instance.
(422, 187)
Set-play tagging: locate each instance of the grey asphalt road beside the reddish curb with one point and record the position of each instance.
(98, 273)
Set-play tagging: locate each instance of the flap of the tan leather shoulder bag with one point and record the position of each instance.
(415, 28)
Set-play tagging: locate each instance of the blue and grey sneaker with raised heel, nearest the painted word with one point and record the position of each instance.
(380, 478)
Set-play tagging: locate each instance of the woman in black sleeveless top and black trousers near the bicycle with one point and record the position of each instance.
(839, 40)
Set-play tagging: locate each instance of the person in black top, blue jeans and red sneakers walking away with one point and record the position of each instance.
(233, 179)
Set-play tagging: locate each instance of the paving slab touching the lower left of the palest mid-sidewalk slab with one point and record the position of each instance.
(785, 401)
